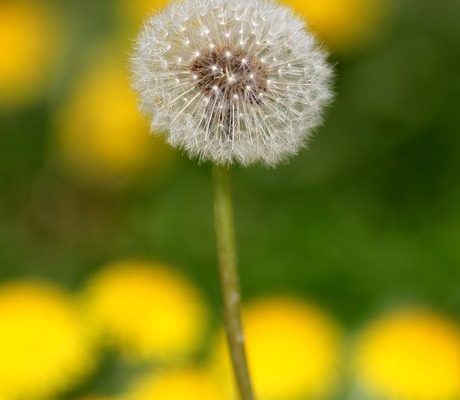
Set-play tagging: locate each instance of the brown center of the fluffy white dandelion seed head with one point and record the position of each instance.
(230, 74)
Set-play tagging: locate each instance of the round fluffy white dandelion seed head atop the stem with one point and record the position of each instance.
(231, 80)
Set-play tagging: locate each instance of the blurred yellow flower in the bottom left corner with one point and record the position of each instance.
(42, 344)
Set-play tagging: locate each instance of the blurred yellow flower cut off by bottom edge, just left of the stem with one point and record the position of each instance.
(190, 384)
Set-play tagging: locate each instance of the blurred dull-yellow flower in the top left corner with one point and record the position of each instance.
(29, 32)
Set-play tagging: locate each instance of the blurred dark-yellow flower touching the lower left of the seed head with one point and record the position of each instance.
(101, 136)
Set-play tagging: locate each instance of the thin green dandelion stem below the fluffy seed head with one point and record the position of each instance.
(228, 274)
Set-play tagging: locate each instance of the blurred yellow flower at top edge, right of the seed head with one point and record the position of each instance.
(342, 24)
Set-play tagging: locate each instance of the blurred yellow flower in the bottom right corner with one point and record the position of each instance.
(410, 355)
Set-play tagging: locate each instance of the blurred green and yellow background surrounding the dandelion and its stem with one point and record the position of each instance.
(349, 255)
